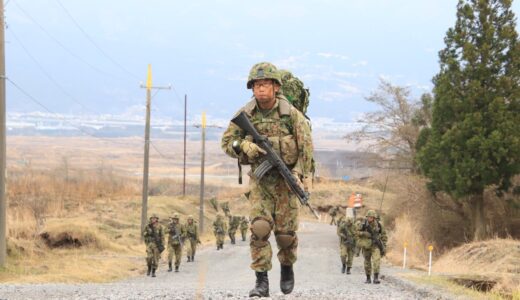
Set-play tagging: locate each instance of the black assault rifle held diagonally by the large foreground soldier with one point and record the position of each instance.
(272, 161)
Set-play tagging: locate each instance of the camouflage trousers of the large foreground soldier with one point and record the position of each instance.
(271, 200)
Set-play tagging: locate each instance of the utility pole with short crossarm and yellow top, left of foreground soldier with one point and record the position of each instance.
(144, 204)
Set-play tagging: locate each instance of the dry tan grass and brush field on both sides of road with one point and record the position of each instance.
(76, 219)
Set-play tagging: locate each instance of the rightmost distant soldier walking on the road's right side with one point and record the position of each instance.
(372, 238)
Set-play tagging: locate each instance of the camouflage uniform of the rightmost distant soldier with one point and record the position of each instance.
(371, 252)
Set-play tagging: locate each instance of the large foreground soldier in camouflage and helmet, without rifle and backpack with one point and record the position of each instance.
(274, 207)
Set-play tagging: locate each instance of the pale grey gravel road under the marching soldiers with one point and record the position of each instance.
(225, 274)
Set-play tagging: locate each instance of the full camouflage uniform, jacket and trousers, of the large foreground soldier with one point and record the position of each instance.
(271, 199)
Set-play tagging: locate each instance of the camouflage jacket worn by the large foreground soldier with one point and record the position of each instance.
(284, 126)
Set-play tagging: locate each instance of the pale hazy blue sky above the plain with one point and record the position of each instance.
(89, 56)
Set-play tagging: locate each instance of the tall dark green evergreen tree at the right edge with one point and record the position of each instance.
(474, 142)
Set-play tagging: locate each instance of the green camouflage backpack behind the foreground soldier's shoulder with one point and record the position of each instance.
(294, 90)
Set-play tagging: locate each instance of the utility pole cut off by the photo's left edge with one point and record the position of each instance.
(3, 202)
